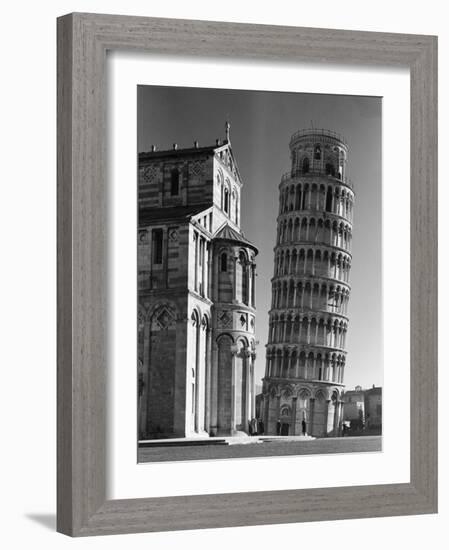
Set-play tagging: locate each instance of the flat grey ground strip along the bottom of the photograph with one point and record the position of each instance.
(273, 447)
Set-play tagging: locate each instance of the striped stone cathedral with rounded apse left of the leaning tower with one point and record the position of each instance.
(196, 295)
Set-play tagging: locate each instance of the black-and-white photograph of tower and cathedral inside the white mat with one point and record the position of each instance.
(259, 273)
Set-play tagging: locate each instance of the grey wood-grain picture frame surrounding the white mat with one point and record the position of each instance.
(83, 40)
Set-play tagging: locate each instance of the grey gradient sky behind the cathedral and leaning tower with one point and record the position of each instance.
(261, 126)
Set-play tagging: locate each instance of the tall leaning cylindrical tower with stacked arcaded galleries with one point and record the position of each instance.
(308, 321)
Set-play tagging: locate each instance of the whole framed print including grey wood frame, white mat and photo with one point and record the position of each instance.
(280, 184)
